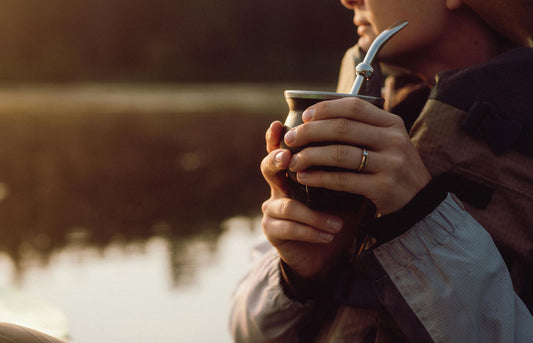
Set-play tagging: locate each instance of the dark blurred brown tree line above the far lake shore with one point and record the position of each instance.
(172, 40)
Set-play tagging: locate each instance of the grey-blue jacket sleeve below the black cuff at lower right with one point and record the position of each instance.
(445, 280)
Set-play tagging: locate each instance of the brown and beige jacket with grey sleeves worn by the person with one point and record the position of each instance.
(444, 280)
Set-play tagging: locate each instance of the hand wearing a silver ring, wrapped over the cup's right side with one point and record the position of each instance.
(394, 172)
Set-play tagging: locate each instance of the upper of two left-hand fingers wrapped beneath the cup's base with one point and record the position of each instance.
(295, 211)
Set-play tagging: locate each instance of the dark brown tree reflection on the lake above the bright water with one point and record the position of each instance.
(72, 177)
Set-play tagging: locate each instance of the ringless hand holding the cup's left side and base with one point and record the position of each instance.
(308, 241)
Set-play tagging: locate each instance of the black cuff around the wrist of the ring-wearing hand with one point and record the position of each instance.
(388, 227)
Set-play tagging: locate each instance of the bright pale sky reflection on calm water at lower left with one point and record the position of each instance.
(127, 293)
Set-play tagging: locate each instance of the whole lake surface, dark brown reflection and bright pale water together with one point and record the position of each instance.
(127, 213)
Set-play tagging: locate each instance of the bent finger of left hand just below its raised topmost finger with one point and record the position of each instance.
(273, 168)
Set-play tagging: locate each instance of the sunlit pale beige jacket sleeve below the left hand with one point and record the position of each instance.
(260, 311)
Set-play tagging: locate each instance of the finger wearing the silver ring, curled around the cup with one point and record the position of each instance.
(341, 156)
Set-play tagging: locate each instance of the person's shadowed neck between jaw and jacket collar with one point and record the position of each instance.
(469, 41)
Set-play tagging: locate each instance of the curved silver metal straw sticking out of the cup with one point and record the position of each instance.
(364, 69)
